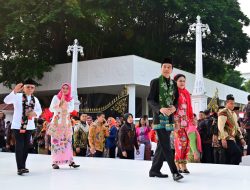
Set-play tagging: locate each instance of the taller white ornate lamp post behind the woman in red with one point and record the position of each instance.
(199, 100)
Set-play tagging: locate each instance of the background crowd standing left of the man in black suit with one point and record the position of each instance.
(90, 138)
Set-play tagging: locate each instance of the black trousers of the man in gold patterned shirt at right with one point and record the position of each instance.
(233, 153)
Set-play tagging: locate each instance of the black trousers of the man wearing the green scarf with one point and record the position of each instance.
(163, 152)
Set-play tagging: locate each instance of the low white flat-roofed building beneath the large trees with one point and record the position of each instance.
(109, 76)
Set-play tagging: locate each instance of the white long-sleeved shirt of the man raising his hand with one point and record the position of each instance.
(16, 100)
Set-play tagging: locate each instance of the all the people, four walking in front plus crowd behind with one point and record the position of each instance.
(180, 136)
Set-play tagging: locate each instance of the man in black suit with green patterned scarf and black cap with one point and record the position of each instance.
(163, 100)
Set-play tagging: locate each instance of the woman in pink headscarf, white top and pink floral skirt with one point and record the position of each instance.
(60, 128)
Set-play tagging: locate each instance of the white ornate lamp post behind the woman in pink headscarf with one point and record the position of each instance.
(75, 48)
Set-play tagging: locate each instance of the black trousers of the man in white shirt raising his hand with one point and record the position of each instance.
(22, 147)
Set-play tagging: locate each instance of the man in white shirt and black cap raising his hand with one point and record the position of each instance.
(26, 108)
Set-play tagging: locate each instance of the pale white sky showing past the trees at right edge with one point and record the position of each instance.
(245, 8)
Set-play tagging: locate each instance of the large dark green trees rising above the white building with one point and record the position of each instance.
(39, 31)
